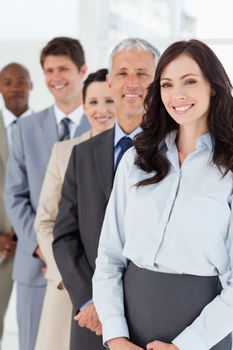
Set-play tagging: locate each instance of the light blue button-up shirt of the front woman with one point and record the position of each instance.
(183, 224)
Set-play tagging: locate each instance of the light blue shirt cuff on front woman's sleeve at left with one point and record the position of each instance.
(114, 327)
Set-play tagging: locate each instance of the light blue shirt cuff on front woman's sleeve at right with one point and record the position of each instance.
(188, 340)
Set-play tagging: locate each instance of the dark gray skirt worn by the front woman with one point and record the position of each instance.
(159, 306)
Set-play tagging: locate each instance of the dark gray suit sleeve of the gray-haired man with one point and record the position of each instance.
(67, 245)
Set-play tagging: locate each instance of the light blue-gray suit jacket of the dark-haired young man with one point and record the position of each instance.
(33, 140)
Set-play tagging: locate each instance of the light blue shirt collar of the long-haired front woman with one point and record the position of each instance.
(202, 142)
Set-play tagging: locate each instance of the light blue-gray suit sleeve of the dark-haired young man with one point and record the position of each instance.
(17, 194)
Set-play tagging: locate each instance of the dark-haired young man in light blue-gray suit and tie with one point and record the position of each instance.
(63, 63)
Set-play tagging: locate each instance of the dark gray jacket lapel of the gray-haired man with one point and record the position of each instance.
(103, 153)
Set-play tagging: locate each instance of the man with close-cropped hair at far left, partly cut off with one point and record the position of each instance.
(15, 86)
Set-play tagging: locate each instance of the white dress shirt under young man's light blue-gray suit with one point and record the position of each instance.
(74, 116)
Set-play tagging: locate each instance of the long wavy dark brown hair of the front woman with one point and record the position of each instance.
(157, 123)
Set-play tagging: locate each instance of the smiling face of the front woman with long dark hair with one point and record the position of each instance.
(185, 92)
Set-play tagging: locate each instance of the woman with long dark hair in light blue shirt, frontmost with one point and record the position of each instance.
(168, 231)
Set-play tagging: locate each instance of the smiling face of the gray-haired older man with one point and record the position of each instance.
(132, 72)
